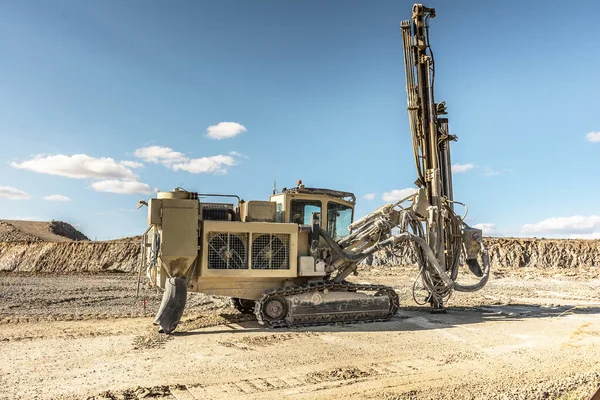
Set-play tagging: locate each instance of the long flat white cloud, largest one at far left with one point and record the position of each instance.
(79, 166)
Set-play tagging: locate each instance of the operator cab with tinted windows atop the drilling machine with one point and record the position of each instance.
(298, 204)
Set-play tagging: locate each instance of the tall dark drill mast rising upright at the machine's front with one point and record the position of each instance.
(431, 141)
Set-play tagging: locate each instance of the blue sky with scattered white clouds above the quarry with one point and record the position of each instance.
(311, 90)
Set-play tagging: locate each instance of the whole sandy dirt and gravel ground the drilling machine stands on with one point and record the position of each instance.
(525, 336)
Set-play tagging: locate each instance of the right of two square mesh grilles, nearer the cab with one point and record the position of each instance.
(270, 251)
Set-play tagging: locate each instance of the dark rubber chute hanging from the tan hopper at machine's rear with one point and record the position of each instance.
(172, 305)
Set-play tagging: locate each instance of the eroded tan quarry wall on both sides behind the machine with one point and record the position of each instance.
(124, 255)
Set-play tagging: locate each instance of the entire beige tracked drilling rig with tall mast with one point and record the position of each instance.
(288, 259)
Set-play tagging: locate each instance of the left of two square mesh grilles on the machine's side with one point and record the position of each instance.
(228, 250)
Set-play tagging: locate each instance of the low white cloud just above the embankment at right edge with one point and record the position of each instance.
(576, 225)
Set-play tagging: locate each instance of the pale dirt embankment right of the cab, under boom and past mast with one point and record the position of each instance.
(513, 253)
